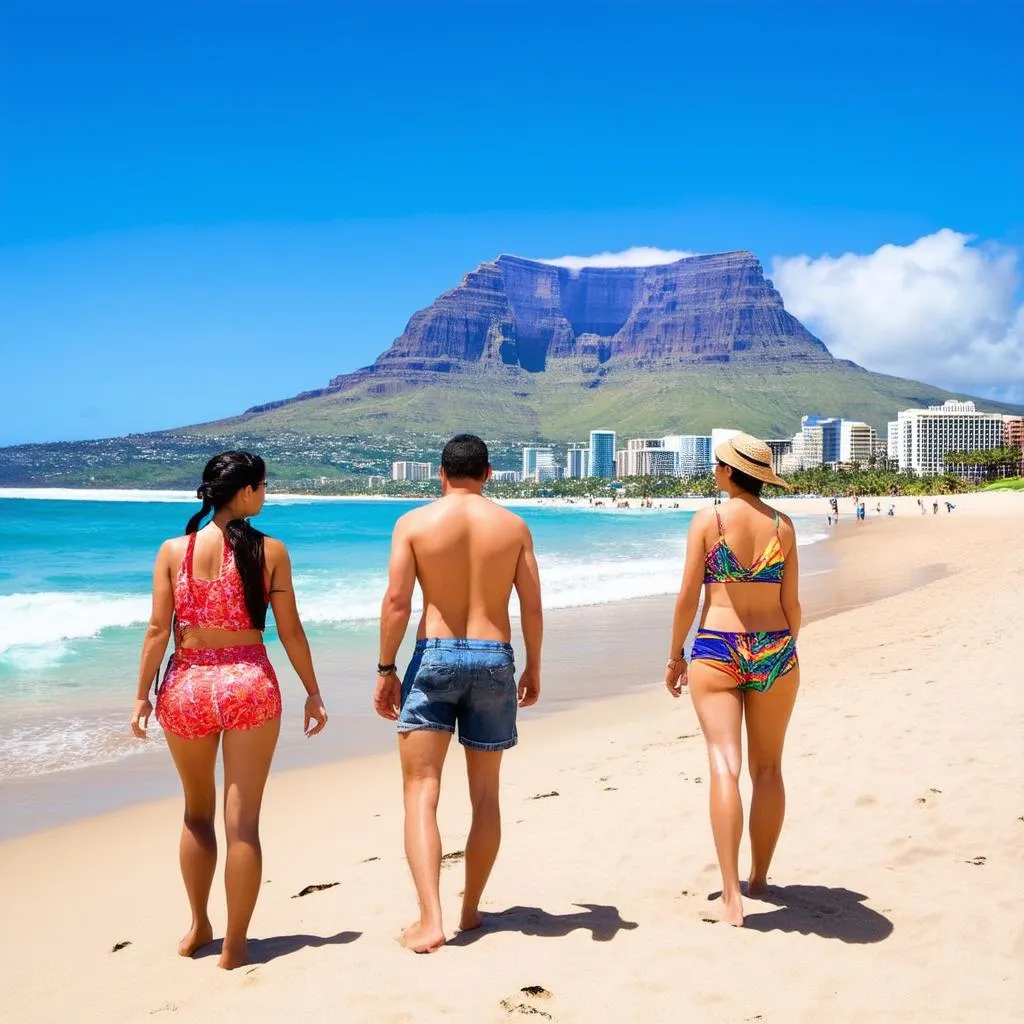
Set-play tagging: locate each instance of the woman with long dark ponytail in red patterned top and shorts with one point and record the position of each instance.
(214, 587)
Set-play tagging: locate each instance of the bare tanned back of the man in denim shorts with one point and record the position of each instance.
(468, 551)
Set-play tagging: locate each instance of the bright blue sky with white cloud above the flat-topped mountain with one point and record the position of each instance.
(204, 206)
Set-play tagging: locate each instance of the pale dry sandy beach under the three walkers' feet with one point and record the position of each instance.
(895, 885)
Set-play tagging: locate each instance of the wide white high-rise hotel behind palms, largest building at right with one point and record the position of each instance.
(925, 437)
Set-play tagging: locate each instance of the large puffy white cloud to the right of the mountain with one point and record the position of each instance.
(942, 310)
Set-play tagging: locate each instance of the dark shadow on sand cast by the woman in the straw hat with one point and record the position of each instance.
(832, 914)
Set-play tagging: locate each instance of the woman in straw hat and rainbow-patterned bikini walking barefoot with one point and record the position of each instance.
(744, 662)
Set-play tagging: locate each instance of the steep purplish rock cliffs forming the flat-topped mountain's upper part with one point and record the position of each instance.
(519, 313)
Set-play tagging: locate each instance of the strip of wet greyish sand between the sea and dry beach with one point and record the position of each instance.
(577, 638)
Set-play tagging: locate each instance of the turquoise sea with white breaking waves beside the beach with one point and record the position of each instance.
(75, 577)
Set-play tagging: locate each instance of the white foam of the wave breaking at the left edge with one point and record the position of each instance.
(49, 619)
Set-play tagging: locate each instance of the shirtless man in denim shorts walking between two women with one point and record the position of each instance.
(467, 554)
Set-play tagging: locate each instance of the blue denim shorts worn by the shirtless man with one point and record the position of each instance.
(466, 682)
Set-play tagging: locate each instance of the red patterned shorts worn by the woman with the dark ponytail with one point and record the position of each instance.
(208, 691)
